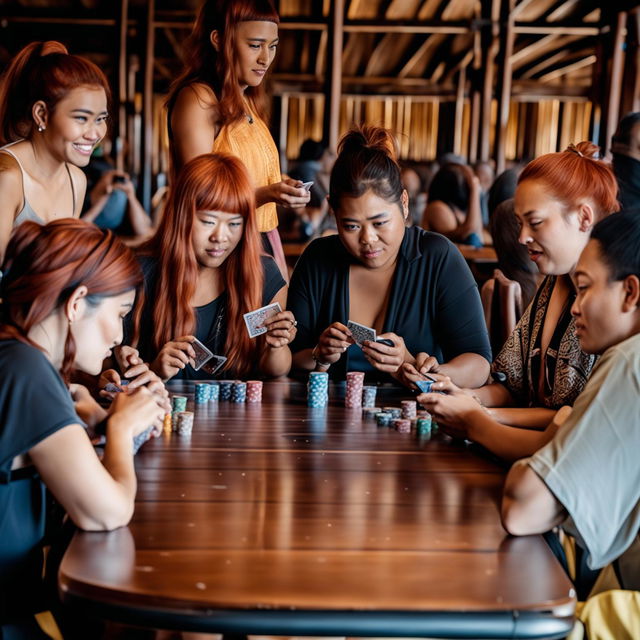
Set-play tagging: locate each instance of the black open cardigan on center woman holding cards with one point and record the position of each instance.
(434, 303)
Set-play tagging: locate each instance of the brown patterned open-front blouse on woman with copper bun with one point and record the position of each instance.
(567, 367)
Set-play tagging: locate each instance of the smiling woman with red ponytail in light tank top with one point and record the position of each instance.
(53, 113)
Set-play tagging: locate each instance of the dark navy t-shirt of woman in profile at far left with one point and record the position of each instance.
(34, 404)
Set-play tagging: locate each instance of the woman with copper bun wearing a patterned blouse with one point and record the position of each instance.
(541, 367)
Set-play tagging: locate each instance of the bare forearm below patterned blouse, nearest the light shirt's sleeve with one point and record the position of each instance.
(507, 442)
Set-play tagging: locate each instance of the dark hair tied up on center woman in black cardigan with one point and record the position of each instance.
(367, 160)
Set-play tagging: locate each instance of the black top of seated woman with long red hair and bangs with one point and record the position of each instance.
(211, 319)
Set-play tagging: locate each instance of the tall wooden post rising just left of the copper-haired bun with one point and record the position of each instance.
(504, 80)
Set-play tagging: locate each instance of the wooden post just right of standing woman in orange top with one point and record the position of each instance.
(334, 76)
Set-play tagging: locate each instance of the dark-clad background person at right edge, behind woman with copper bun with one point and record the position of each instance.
(625, 148)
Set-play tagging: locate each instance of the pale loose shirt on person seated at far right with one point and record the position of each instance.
(592, 465)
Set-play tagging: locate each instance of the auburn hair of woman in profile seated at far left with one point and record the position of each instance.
(45, 264)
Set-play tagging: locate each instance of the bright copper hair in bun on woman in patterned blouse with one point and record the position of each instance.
(576, 174)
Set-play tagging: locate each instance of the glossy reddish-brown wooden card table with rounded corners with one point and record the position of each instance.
(278, 519)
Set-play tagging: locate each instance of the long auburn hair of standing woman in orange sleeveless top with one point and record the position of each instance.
(218, 69)
